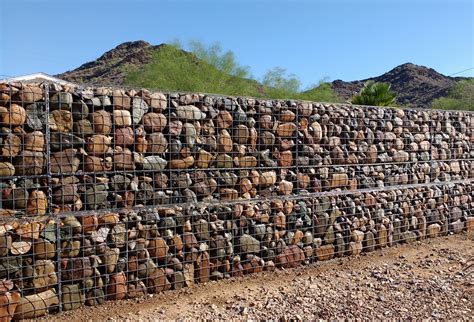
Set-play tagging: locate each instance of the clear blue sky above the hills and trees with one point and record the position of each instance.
(313, 39)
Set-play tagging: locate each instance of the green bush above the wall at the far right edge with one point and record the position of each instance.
(460, 97)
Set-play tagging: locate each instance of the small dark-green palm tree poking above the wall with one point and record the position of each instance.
(375, 94)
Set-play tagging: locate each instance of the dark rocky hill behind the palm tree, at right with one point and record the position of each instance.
(415, 85)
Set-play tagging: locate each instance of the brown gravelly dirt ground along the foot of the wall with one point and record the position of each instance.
(420, 280)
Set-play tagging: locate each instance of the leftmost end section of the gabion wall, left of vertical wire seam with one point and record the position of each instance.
(27, 236)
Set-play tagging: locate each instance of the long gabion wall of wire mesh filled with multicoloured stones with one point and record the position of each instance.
(109, 194)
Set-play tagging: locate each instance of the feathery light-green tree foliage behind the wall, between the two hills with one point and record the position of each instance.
(208, 69)
